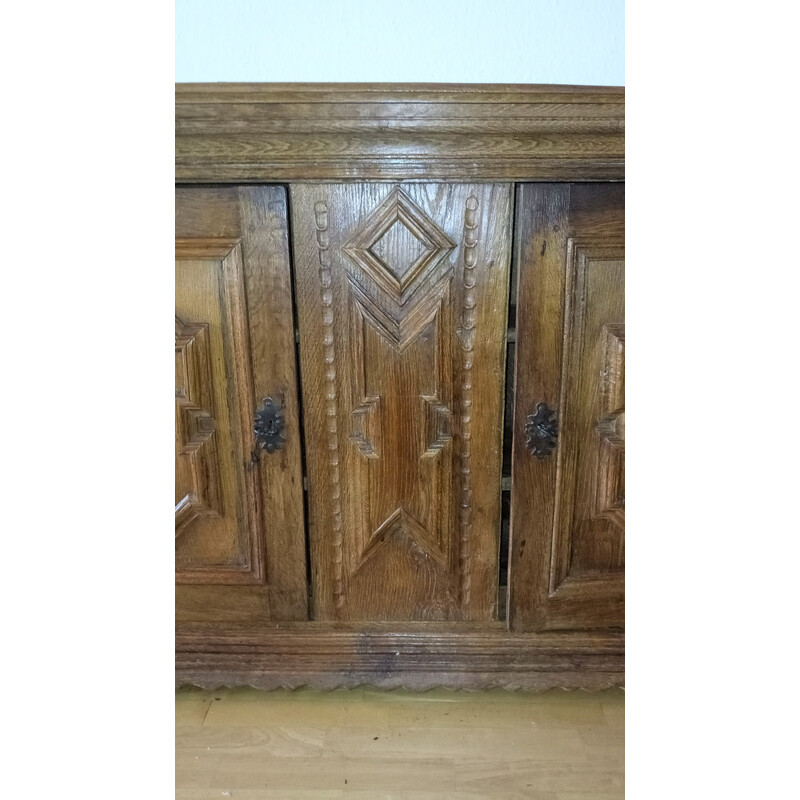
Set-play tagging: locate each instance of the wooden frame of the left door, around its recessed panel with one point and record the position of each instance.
(245, 230)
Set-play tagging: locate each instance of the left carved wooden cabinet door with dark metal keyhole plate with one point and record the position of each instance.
(239, 530)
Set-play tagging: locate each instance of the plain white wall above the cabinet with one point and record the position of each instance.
(448, 41)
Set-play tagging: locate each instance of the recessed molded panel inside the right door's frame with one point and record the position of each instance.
(589, 524)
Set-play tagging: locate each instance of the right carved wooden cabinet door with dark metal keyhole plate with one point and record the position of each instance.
(567, 555)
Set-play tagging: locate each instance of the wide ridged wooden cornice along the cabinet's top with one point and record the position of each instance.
(321, 132)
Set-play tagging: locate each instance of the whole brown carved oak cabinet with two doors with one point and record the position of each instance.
(399, 400)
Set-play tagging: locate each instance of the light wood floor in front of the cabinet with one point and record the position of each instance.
(363, 743)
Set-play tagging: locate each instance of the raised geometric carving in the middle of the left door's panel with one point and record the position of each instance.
(194, 427)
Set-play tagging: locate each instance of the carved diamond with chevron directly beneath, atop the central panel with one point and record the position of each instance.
(398, 266)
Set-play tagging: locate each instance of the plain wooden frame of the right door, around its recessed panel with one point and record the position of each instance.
(543, 596)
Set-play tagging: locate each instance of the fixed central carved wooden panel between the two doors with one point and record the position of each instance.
(401, 297)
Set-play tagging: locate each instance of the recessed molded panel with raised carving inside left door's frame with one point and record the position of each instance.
(219, 530)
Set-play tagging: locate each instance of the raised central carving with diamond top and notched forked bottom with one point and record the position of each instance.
(399, 272)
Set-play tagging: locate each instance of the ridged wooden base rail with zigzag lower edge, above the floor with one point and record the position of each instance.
(415, 656)
